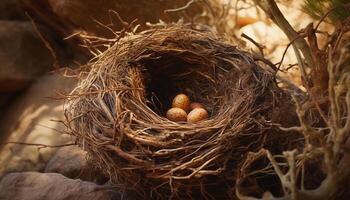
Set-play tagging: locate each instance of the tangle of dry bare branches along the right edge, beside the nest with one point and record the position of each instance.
(325, 143)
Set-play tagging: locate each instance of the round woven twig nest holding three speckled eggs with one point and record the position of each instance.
(117, 112)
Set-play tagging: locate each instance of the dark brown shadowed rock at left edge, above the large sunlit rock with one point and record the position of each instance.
(23, 55)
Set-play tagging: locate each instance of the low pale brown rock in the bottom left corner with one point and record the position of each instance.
(45, 186)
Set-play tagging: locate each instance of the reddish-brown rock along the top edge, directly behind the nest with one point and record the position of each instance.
(68, 16)
